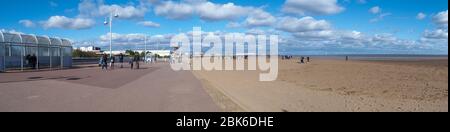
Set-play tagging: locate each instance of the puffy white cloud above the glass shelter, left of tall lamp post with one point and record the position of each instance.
(63, 22)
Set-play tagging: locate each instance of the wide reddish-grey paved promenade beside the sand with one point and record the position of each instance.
(155, 88)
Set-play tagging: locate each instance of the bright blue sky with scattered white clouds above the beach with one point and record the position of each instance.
(305, 26)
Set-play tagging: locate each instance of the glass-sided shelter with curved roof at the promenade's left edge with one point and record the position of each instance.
(30, 52)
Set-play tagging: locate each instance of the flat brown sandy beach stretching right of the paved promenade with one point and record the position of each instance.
(333, 84)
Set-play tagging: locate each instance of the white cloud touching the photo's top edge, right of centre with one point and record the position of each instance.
(308, 7)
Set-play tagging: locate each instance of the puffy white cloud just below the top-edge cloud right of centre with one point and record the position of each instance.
(305, 24)
